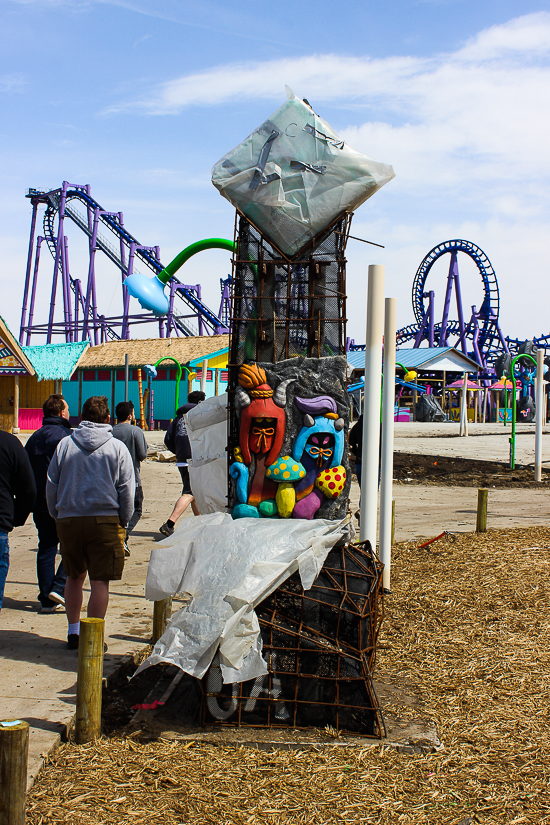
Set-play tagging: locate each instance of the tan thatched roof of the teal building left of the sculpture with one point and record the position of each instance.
(148, 351)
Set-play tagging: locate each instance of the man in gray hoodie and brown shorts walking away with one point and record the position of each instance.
(90, 494)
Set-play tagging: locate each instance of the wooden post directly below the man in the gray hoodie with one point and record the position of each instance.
(89, 677)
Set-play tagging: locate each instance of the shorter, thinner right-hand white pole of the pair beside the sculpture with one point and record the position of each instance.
(388, 405)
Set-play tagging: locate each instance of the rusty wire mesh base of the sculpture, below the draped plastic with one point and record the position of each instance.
(320, 647)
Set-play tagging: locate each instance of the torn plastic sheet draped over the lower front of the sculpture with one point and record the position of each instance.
(223, 569)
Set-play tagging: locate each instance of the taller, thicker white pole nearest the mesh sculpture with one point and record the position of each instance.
(371, 404)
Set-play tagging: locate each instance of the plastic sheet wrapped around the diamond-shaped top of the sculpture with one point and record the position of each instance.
(294, 175)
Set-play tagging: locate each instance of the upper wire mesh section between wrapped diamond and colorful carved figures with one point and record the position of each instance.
(282, 308)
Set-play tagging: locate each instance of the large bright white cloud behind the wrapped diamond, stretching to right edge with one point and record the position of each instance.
(479, 114)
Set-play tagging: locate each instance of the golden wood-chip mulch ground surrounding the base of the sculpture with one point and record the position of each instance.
(467, 625)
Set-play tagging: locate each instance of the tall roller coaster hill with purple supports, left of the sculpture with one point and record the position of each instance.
(79, 318)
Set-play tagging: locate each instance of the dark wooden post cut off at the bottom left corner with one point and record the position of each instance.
(14, 751)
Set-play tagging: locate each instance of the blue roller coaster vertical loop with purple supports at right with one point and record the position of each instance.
(480, 337)
